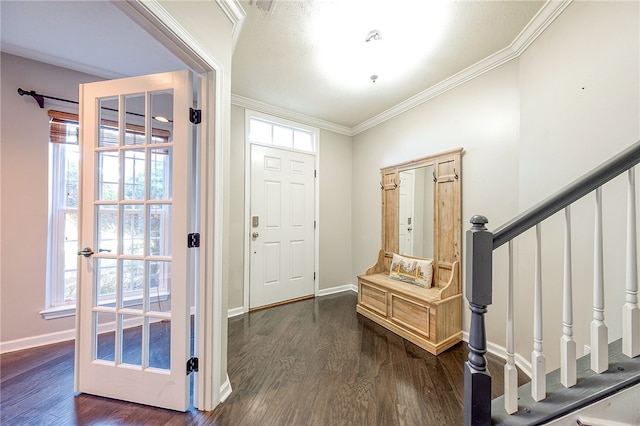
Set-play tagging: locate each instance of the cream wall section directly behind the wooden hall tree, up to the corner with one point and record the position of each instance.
(482, 116)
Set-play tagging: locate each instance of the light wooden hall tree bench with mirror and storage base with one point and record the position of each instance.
(431, 318)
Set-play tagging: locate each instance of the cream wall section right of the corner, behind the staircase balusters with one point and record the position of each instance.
(580, 105)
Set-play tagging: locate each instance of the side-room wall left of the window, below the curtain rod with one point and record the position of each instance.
(25, 167)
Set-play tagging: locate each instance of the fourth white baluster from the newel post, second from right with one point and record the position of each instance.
(599, 331)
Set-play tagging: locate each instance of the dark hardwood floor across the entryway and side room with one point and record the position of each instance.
(313, 362)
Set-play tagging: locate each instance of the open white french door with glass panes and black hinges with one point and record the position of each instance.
(133, 324)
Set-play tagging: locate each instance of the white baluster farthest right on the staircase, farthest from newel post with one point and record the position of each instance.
(631, 311)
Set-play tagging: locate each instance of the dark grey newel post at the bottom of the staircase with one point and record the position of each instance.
(477, 380)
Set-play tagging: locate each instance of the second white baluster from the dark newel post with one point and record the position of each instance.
(538, 363)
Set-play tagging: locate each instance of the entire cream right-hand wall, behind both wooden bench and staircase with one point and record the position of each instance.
(528, 128)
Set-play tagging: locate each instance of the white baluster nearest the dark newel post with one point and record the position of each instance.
(510, 371)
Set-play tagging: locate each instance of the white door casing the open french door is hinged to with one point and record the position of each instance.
(211, 313)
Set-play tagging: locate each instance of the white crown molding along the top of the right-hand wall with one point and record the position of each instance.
(545, 16)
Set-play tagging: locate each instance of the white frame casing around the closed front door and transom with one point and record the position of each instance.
(247, 200)
